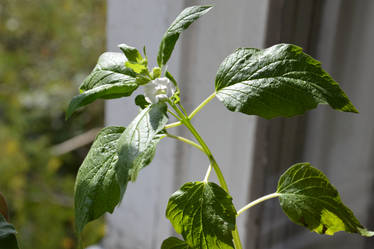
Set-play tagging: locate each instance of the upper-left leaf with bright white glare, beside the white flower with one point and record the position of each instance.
(109, 79)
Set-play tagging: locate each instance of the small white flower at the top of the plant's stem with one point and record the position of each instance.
(159, 89)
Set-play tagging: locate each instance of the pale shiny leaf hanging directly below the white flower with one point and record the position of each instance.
(137, 144)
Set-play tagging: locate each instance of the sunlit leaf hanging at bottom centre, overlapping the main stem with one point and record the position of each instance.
(204, 214)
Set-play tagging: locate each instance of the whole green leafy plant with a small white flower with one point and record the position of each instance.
(277, 81)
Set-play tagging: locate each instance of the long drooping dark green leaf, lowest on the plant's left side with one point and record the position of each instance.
(100, 182)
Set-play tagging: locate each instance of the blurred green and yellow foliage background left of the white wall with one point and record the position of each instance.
(46, 49)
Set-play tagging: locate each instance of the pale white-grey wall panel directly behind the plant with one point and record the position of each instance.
(139, 222)
